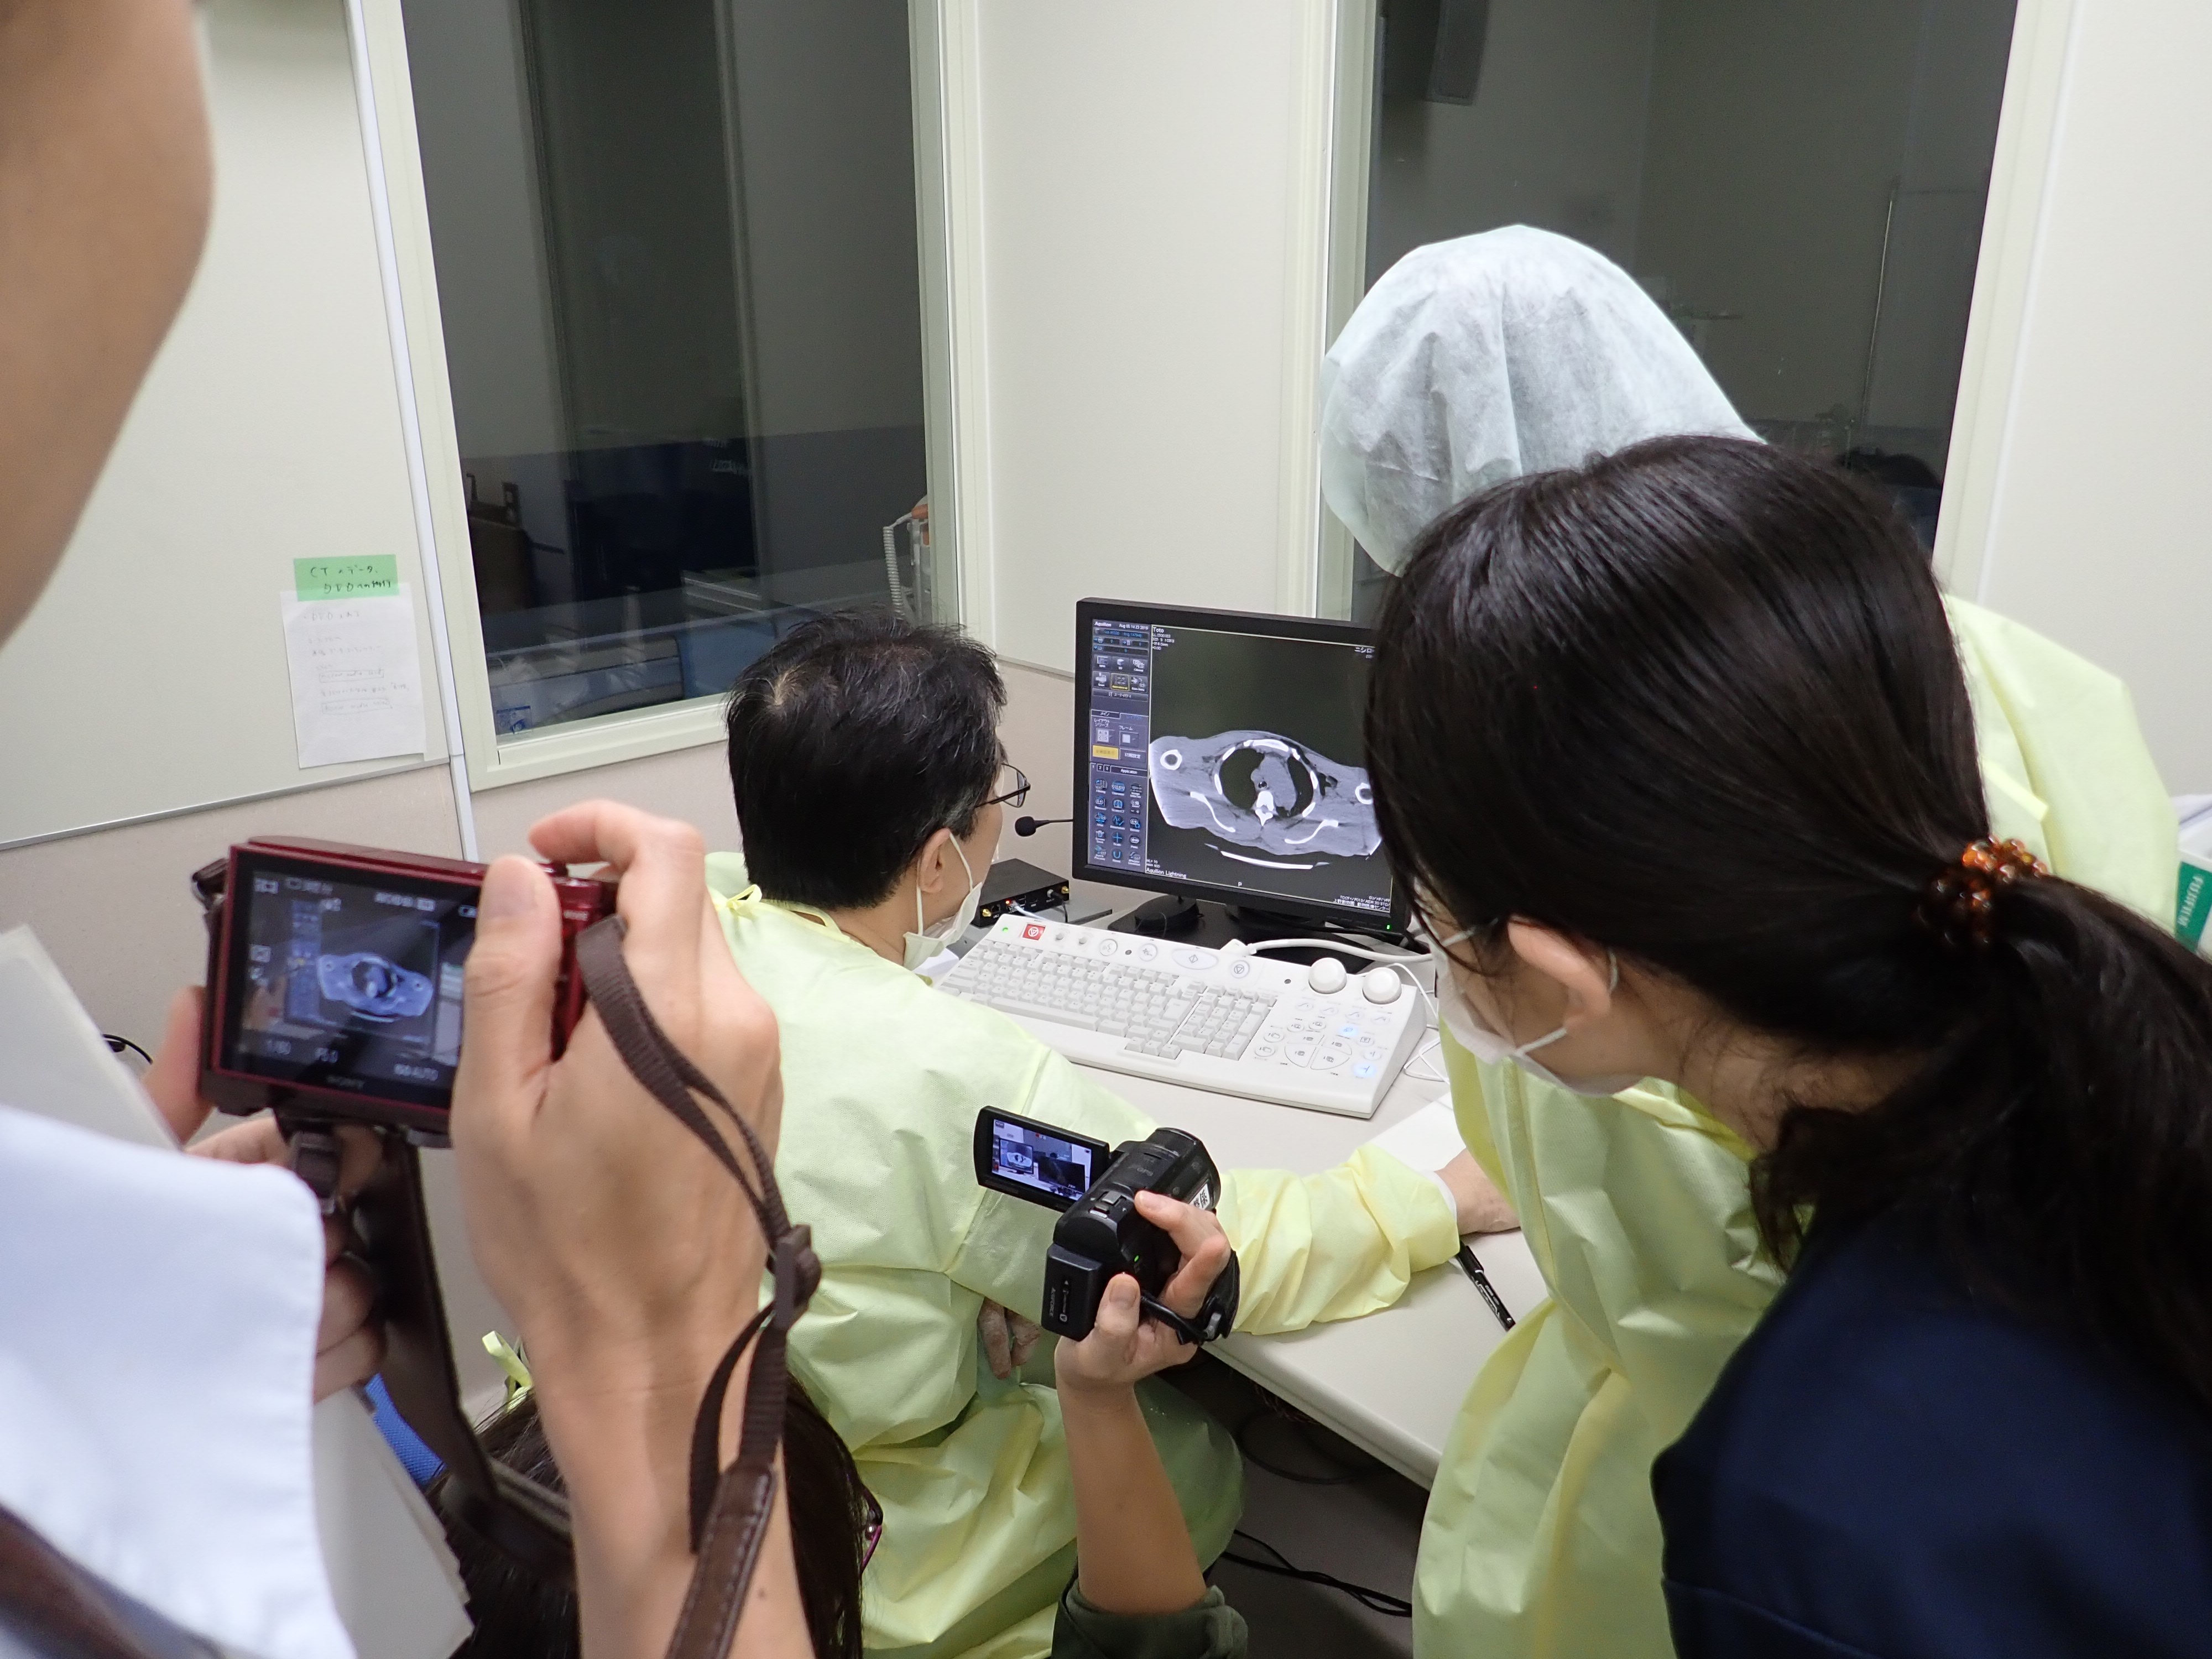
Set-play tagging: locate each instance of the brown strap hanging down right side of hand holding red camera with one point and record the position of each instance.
(729, 1507)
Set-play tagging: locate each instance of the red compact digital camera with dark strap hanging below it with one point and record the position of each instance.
(335, 983)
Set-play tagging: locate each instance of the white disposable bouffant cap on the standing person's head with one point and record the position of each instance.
(1490, 357)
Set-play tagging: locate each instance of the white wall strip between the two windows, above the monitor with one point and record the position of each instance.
(1138, 289)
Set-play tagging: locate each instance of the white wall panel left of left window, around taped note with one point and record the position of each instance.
(152, 676)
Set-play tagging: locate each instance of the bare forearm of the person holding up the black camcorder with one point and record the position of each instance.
(1131, 1547)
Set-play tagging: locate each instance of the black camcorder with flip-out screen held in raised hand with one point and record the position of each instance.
(1100, 1233)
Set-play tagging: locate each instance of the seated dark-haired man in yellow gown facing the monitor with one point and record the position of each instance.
(864, 758)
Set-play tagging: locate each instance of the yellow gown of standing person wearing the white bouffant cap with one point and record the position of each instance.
(1541, 1534)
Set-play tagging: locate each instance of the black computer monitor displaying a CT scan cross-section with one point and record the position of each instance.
(1218, 755)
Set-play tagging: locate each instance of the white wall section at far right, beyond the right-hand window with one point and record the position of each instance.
(2100, 528)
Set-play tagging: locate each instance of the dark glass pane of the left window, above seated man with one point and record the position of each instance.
(676, 251)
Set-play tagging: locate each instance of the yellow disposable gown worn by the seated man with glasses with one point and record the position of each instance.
(881, 1085)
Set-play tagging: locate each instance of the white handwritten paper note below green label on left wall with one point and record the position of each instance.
(357, 678)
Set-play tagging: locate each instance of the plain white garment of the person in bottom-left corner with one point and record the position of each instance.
(158, 1322)
